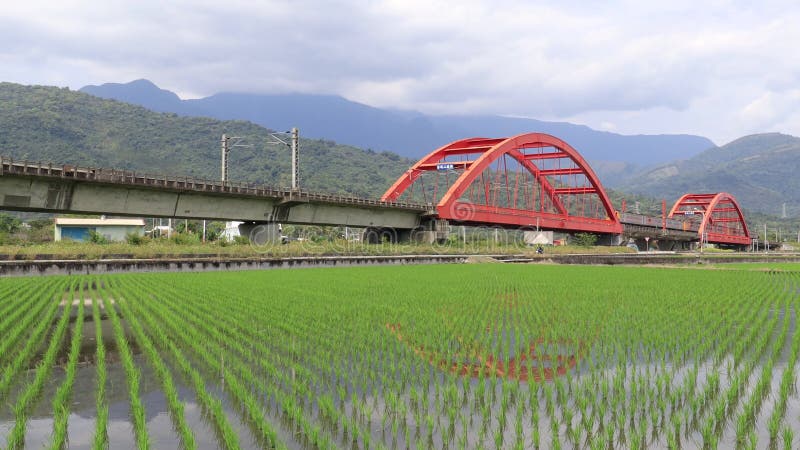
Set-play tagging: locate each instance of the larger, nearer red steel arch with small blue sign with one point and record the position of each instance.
(549, 161)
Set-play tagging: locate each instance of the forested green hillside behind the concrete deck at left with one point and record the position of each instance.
(40, 123)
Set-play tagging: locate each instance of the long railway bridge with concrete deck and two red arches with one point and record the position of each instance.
(531, 181)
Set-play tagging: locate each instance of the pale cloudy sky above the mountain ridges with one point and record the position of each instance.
(718, 68)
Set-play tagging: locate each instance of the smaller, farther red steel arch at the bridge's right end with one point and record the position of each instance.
(721, 221)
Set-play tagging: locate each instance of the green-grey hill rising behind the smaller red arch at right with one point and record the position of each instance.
(761, 171)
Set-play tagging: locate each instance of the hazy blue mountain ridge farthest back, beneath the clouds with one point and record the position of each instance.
(407, 133)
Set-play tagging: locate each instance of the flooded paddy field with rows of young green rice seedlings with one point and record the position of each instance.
(403, 357)
